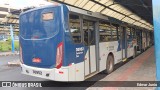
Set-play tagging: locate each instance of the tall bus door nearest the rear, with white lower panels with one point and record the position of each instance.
(89, 42)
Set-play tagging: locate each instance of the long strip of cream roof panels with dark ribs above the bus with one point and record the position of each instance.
(108, 7)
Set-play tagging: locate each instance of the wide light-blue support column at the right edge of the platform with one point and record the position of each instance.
(156, 20)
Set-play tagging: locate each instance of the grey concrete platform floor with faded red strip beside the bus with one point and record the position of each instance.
(141, 68)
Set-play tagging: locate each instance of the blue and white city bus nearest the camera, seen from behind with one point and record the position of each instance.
(64, 43)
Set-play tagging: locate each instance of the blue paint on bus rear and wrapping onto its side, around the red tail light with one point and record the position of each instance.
(39, 38)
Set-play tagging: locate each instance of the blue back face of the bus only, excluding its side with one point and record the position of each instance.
(39, 38)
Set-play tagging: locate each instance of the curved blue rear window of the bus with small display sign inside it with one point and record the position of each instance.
(40, 23)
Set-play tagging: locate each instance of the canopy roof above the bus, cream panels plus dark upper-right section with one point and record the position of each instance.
(129, 11)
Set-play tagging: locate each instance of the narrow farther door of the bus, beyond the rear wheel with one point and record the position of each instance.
(124, 43)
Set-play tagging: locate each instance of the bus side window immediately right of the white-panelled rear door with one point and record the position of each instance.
(104, 31)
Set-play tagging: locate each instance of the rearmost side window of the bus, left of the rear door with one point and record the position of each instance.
(74, 24)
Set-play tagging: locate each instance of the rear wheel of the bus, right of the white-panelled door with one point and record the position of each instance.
(109, 64)
